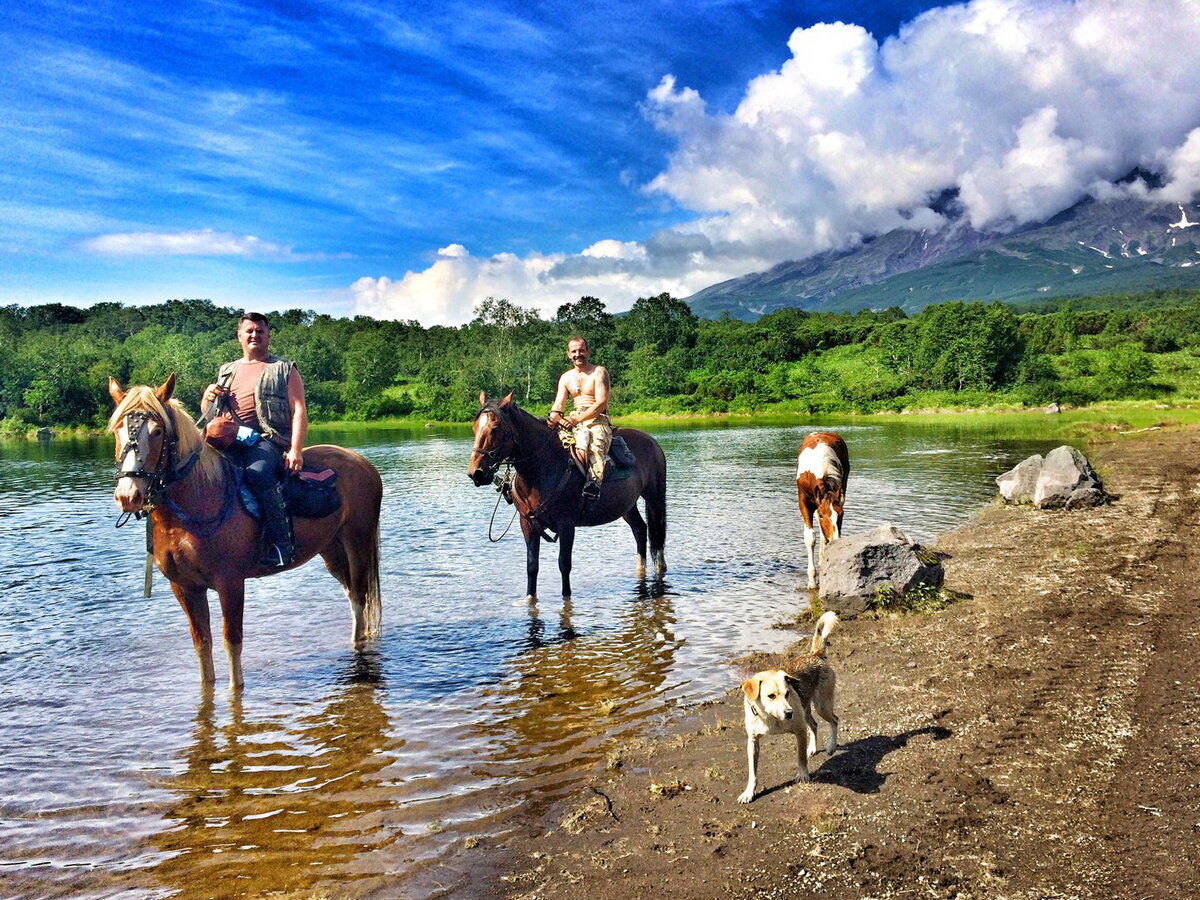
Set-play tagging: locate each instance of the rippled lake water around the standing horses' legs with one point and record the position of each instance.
(376, 772)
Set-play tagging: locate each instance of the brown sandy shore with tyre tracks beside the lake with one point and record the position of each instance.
(1040, 739)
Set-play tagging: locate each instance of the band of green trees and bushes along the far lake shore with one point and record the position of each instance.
(56, 359)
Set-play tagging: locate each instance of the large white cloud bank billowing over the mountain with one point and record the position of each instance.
(1023, 107)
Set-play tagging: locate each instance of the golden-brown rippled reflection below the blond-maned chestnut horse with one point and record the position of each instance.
(279, 805)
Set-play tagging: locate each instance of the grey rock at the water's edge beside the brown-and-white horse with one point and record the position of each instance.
(856, 568)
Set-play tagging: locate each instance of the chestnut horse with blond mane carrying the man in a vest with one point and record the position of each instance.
(205, 539)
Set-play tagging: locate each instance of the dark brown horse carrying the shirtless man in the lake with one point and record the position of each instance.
(548, 485)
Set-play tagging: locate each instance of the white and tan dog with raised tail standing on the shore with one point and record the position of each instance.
(779, 703)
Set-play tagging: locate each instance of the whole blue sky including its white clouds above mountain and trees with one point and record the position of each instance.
(409, 160)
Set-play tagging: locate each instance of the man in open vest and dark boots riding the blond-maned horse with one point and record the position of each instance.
(265, 395)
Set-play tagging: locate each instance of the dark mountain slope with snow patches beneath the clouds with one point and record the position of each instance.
(1094, 248)
